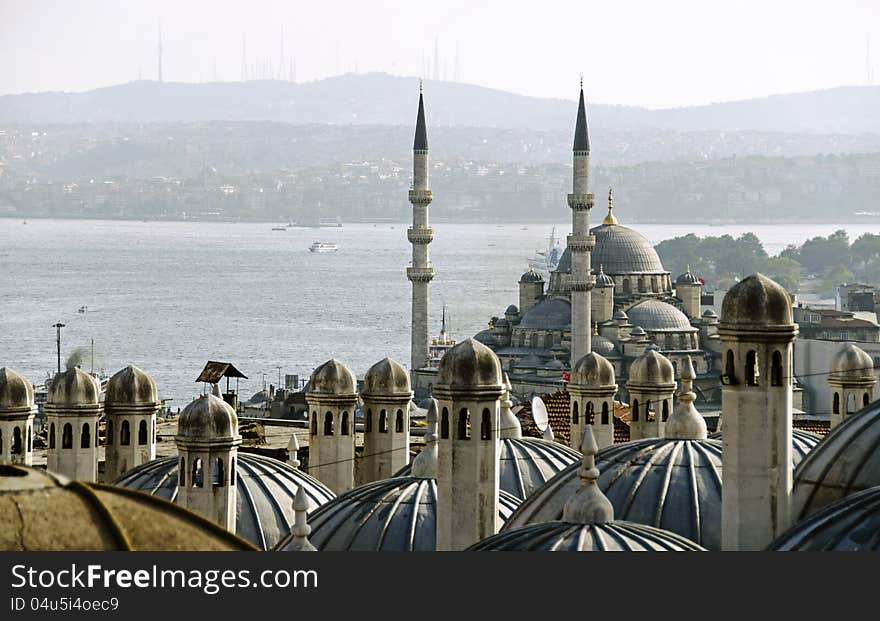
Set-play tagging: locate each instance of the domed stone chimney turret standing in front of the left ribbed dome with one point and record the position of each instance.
(207, 447)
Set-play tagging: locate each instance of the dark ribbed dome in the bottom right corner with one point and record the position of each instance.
(851, 524)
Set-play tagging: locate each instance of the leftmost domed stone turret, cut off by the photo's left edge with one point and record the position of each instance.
(17, 411)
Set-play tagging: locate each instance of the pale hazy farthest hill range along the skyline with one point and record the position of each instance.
(381, 99)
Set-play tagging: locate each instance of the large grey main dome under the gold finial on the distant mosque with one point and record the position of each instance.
(621, 250)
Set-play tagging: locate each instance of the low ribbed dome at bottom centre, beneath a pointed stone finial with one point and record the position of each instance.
(566, 537)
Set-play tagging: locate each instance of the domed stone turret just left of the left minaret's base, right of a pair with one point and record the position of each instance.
(386, 394)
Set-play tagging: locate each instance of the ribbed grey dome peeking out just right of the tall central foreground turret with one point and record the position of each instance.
(526, 464)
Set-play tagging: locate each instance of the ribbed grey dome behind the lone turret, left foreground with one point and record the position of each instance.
(265, 490)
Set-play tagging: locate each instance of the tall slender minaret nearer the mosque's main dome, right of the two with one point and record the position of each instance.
(580, 242)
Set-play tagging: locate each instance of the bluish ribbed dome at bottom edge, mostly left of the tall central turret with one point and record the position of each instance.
(397, 514)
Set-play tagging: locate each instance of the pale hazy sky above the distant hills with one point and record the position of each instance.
(639, 52)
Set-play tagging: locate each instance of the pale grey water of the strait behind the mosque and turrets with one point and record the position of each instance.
(168, 296)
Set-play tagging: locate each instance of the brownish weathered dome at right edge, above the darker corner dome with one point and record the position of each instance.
(842, 463)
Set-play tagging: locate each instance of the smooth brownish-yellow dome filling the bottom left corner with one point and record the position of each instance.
(46, 511)
